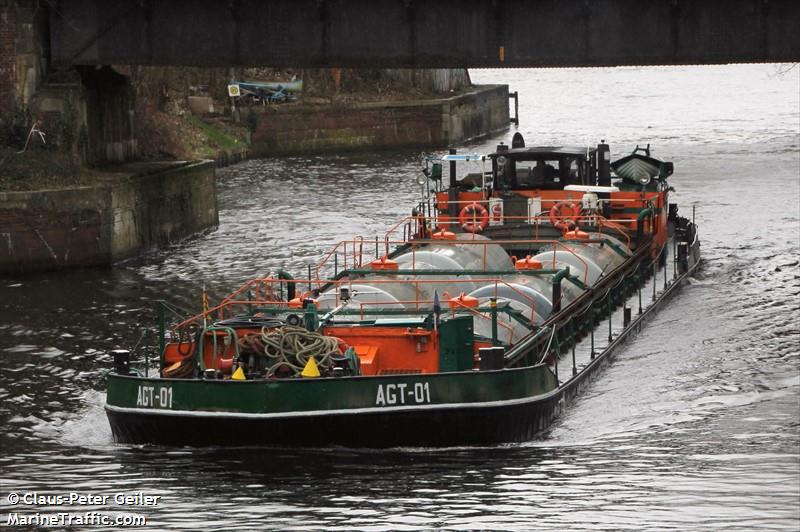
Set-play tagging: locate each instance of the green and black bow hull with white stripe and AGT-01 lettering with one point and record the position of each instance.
(465, 408)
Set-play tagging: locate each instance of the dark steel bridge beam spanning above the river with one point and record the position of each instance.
(421, 34)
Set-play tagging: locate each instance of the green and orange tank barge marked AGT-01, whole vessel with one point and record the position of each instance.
(470, 322)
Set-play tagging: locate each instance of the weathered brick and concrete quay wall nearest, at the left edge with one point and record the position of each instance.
(97, 226)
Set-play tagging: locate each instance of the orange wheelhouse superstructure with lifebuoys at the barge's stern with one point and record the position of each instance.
(546, 191)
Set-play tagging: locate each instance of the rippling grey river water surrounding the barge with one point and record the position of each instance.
(694, 426)
